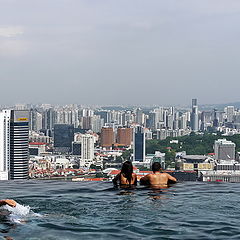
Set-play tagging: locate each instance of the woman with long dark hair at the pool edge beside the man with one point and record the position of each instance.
(126, 177)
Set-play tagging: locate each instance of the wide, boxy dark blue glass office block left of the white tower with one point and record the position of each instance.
(63, 137)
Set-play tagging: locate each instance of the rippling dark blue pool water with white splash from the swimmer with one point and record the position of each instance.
(90, 210)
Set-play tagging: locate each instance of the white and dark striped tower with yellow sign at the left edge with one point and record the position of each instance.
(14, 157)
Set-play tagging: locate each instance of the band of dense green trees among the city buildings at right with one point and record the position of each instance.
(192, 144)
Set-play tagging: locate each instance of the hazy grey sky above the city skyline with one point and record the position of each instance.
(119, 52)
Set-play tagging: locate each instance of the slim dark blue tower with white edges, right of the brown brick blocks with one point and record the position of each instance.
(139, 144)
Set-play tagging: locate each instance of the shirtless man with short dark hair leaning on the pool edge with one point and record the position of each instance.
(157, 178)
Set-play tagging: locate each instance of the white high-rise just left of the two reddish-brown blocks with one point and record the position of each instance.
(87, 149)
